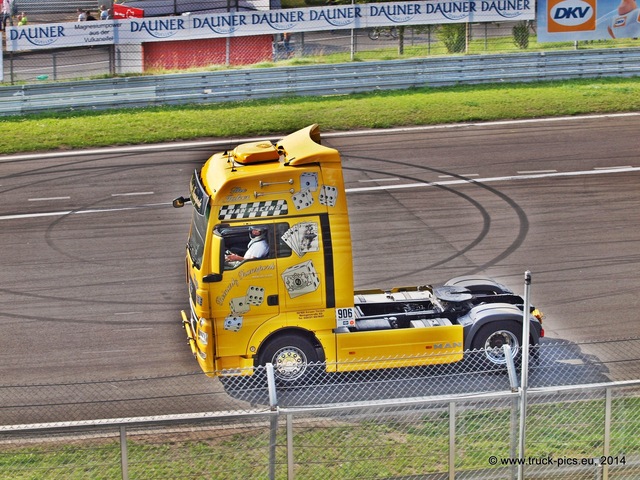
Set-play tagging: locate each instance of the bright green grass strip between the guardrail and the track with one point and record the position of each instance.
(382, 109)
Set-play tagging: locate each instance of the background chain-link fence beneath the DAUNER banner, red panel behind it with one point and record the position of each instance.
(338, 46)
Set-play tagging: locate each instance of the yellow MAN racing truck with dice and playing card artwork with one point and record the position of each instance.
(270, 278)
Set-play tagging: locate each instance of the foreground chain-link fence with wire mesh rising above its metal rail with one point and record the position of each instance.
(441, 421)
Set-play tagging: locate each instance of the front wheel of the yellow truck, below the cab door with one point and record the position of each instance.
(292, 356)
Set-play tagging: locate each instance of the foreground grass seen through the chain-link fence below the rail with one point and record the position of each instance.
(403, 444)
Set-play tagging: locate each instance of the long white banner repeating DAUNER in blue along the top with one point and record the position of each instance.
(190, 27)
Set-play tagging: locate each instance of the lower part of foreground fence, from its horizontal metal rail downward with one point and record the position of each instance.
(470, 436)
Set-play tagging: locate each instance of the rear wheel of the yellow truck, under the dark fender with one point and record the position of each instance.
(489, 340)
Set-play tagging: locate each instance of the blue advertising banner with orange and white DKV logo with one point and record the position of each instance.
(569, 20)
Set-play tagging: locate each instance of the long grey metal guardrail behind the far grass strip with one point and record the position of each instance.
(329, 79)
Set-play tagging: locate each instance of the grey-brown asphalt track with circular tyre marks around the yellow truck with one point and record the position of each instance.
(92, 257)
